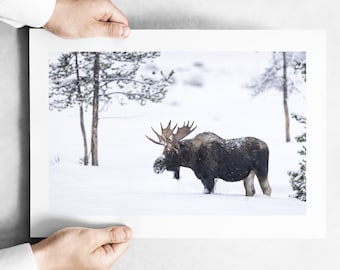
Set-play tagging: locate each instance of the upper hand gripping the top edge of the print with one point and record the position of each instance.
(87, 18)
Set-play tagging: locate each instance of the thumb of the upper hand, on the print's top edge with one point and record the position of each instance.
(111, 29)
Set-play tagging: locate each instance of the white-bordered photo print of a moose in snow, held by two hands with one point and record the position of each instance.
(175, 136)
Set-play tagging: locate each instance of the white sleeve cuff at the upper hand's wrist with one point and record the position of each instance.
(18, 13)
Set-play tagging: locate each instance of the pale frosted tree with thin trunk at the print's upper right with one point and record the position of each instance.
(286, 73)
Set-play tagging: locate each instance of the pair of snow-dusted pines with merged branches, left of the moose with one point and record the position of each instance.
(94, 78)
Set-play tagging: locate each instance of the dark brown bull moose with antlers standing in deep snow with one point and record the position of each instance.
(212, 157)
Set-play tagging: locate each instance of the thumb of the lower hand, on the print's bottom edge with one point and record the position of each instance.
(112, 235)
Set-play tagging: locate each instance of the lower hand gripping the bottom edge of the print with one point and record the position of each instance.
(82, 248)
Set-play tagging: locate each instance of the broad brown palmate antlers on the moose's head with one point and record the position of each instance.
(169, 137)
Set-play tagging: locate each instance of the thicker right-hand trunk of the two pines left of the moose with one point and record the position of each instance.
(94, 130)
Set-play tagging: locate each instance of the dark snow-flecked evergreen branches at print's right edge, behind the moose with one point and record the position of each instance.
(298, 178)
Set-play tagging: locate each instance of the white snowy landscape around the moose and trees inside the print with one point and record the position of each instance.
(124, 183)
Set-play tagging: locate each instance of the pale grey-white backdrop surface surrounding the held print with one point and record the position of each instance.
(184, 254)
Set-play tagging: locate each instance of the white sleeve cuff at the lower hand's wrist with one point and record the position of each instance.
(18, 258)
